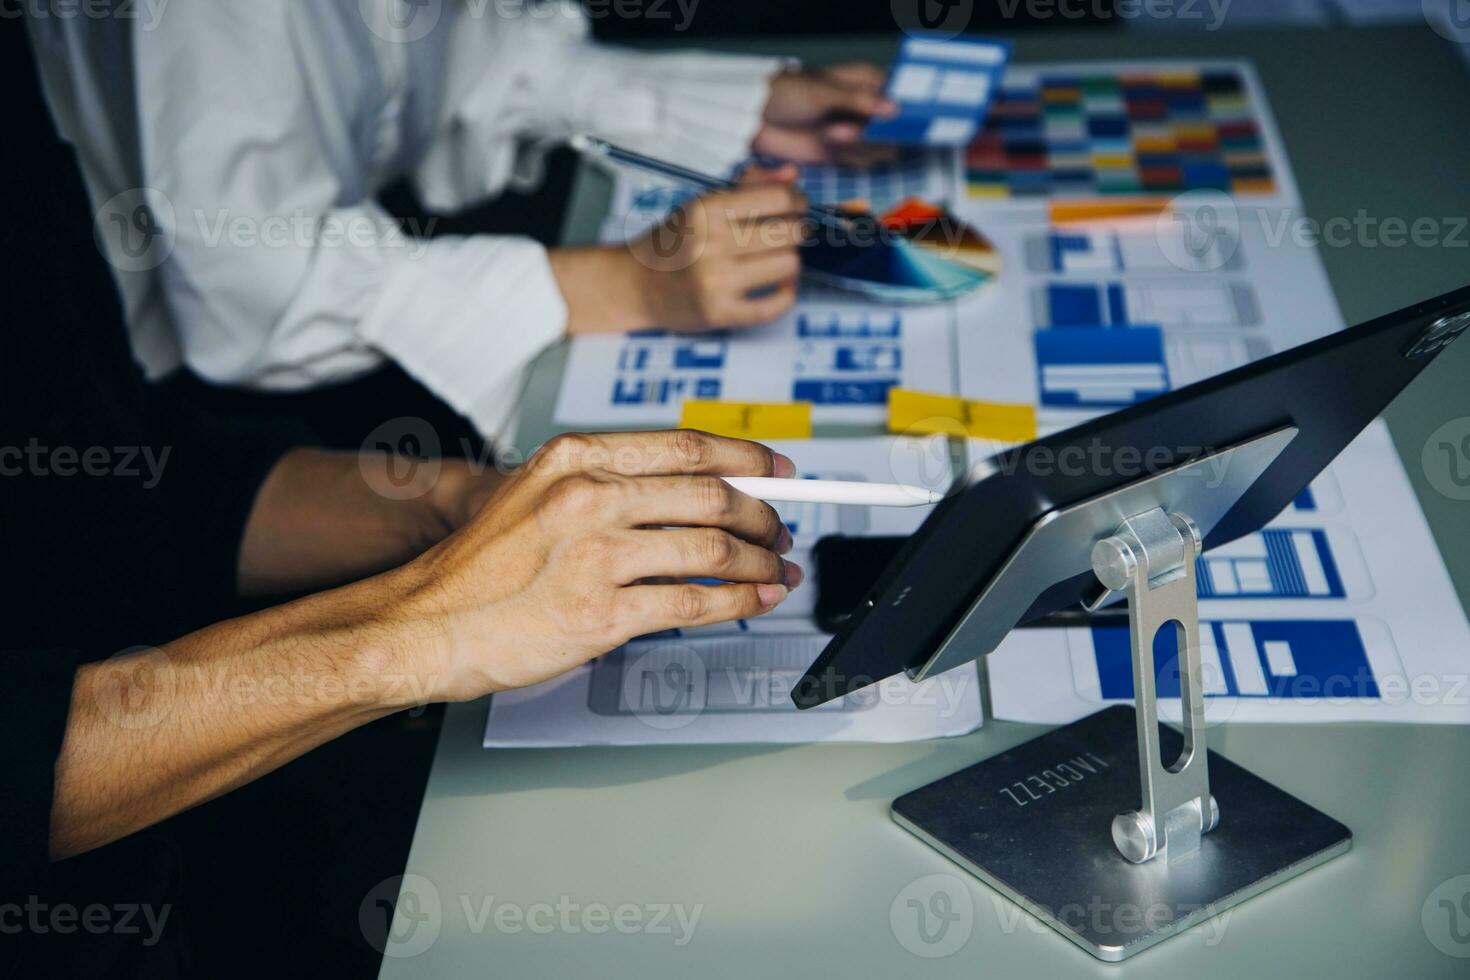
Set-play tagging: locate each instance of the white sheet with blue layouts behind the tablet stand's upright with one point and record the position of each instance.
(1340, 612)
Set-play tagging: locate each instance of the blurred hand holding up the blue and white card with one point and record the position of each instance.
(818, 117)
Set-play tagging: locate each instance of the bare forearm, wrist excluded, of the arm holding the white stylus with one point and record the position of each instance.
(162, 731)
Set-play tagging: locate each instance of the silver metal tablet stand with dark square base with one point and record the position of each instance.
(1091, 828)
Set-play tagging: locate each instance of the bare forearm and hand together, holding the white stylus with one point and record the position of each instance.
(584, 549)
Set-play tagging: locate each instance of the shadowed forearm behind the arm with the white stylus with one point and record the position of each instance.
(324, 518)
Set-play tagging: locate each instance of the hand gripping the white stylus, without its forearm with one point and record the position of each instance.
(589, 546)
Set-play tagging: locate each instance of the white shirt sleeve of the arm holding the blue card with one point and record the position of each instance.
(520, 83)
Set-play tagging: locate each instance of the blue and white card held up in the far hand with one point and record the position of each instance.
(943, 89)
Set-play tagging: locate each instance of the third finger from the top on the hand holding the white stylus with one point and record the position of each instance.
(699, 553)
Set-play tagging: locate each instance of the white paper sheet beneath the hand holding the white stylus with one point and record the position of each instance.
(733, 682)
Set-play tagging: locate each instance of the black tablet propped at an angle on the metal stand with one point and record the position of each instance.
(1322, 394)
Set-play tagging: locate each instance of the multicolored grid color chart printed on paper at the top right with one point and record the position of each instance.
(1131, 133)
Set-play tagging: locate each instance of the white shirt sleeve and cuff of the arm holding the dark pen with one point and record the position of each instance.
(284, 273)
